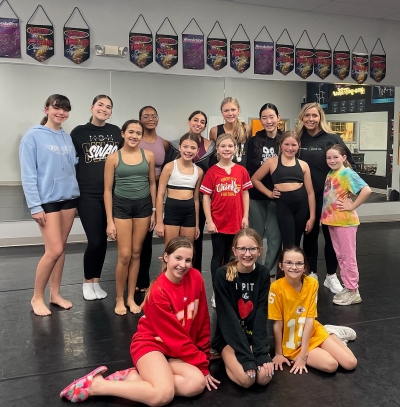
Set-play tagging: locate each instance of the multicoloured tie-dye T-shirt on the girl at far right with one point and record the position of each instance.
(341, 184)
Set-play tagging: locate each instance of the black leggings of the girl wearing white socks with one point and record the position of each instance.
(94, 221)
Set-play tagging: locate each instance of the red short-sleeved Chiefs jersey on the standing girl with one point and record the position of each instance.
(226, 191)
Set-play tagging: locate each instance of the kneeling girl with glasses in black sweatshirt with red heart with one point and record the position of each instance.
(241, 289)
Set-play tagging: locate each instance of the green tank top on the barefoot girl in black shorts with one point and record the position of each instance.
(132, 181)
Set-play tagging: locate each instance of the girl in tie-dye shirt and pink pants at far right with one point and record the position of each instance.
(344, 192)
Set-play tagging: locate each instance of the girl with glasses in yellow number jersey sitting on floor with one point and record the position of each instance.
(300, 340)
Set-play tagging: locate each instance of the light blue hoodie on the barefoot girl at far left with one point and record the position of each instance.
(48, 161)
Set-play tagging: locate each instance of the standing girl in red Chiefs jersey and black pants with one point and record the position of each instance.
(225, 201)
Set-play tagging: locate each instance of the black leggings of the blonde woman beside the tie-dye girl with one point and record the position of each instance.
(310, 242)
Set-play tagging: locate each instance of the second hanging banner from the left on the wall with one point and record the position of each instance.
(40, 41)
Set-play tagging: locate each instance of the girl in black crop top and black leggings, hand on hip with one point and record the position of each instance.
(293, 190)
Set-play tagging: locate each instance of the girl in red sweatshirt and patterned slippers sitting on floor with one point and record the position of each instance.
(171, 348)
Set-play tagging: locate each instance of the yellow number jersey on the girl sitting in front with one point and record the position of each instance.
(292, 308)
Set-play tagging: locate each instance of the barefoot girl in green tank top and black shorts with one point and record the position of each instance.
(131, 210)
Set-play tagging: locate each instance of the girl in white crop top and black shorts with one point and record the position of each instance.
(181, 179)
